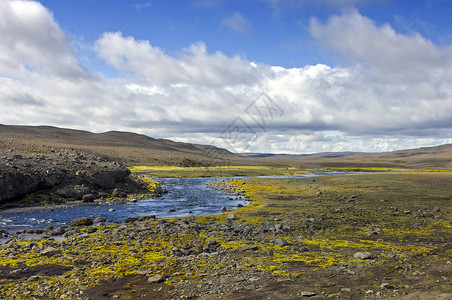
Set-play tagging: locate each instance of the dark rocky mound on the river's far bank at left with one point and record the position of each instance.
(67, 175)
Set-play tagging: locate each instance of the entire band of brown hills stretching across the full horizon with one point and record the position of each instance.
(133, 148)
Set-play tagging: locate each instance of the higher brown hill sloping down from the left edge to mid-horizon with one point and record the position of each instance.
(131, 148)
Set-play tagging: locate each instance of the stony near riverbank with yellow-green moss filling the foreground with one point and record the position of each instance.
(362, 236)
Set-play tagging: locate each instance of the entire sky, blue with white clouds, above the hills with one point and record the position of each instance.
(273, 76)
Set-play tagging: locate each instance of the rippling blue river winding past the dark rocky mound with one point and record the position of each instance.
(186, 196)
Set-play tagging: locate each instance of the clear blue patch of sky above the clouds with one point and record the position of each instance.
(271, 34)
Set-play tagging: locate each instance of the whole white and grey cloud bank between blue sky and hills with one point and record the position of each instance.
(394, 93)
